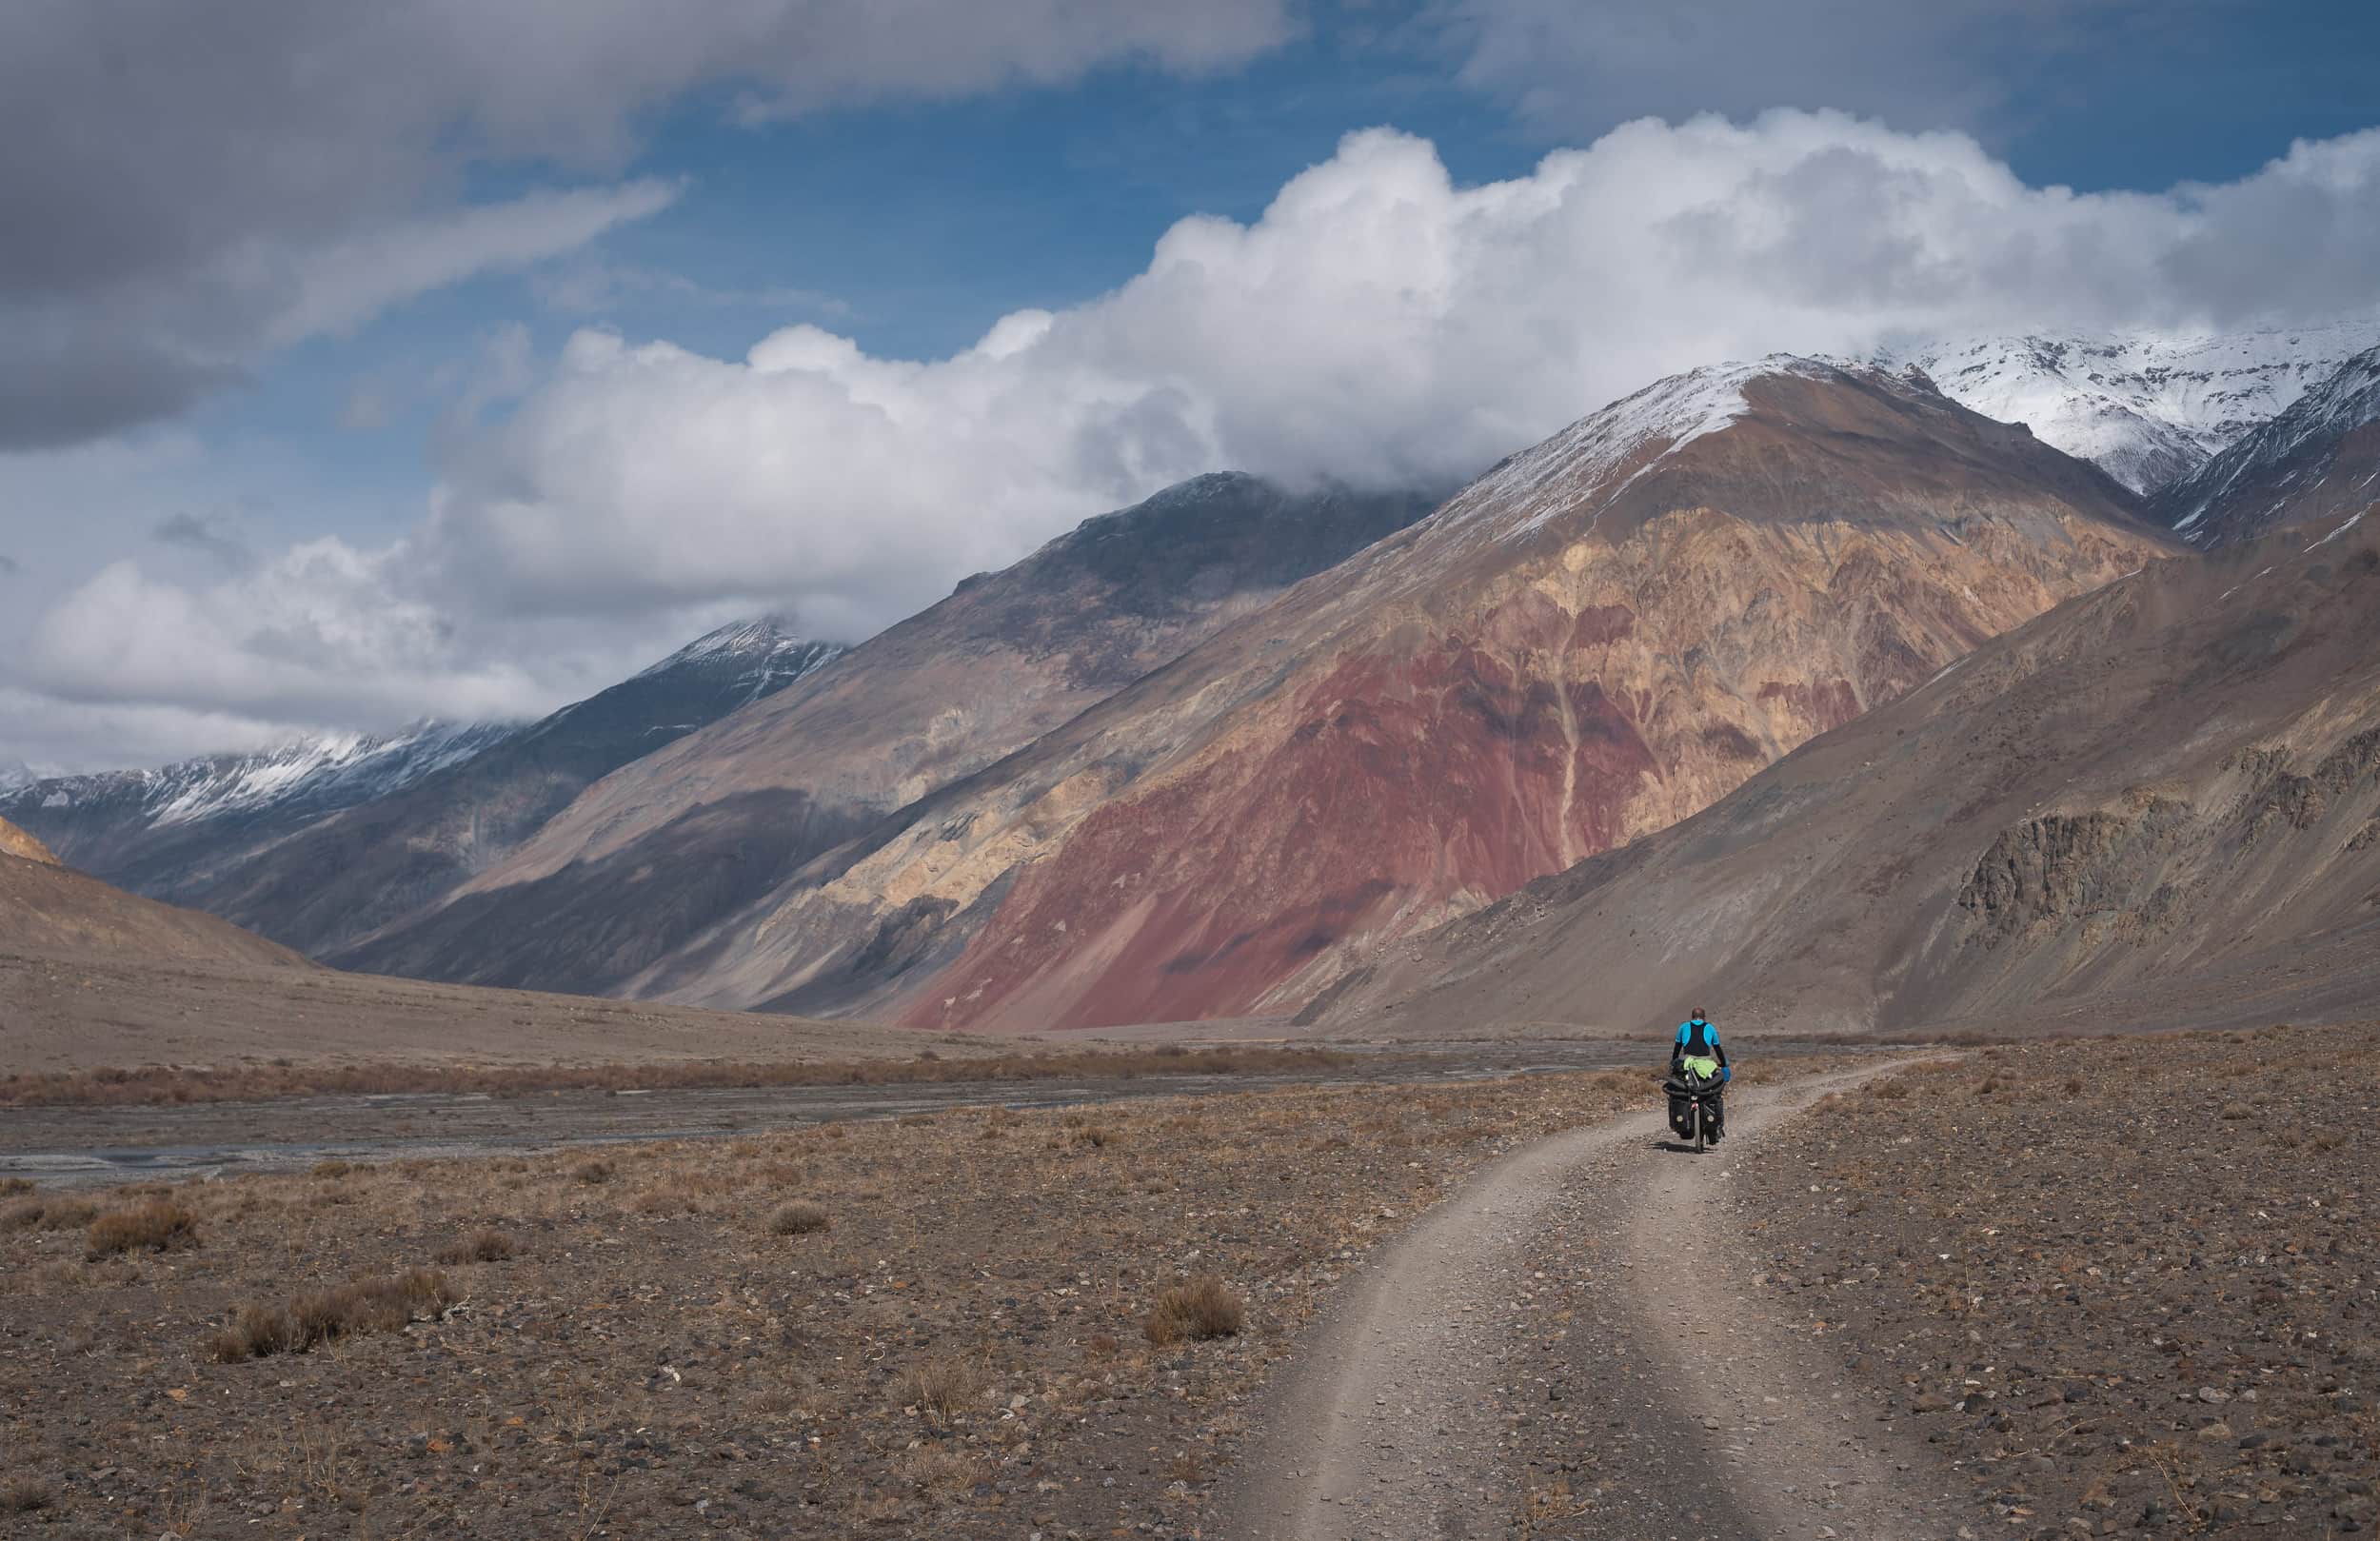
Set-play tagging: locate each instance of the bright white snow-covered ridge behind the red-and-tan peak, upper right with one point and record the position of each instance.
(2148, 410)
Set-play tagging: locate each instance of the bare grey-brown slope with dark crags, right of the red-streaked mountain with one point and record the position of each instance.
(2155, 805)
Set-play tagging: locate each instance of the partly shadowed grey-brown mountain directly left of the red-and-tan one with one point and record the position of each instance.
(649, 860)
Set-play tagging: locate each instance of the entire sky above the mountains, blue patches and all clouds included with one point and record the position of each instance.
(322, 317)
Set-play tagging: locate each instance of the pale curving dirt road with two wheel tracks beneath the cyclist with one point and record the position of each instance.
(1567, 1350)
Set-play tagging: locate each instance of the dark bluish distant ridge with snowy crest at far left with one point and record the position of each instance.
(330, 838)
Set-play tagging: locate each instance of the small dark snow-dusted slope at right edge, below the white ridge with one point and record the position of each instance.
(2315, 463)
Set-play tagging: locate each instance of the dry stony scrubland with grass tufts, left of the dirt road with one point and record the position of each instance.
(967, 1326)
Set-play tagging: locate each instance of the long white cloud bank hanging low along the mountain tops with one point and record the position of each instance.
(1379, 325)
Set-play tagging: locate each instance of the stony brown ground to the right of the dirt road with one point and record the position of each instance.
(2131, 1285)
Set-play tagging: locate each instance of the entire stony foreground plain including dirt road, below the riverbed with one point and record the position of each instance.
(2036, 1290)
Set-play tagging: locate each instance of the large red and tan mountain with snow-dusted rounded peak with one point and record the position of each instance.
(1591, 643)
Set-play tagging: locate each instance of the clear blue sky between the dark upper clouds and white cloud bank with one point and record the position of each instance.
(915, 225)
